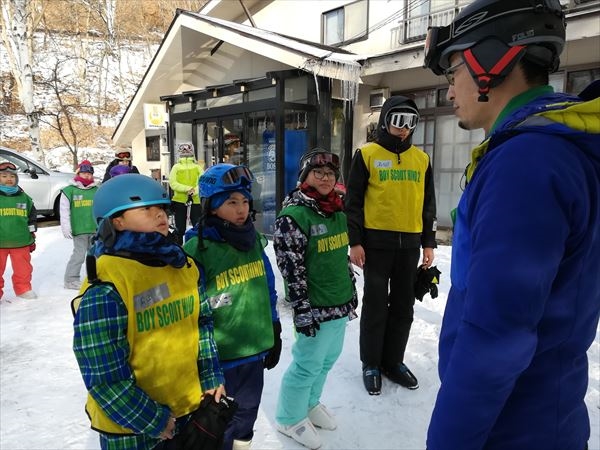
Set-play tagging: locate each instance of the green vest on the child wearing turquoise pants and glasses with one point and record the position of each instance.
(326, 261)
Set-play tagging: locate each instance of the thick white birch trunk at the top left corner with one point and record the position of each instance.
(17, 35)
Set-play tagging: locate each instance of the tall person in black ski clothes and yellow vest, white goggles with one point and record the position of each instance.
(390, 205)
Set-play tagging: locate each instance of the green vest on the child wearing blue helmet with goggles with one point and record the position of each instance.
(238, 293)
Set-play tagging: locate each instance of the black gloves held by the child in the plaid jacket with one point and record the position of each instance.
(206, 426)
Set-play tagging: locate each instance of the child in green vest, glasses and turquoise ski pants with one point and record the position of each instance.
(311, 247)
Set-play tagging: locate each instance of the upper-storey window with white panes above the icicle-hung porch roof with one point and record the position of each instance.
(346, 24)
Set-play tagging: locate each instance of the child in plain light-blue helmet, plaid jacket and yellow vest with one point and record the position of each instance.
(142, 331)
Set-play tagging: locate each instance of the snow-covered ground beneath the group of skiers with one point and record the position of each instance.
(42, 395)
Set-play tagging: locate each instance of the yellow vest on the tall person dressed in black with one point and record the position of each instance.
(395, 194)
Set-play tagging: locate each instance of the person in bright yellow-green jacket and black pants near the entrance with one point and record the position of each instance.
(183, 180)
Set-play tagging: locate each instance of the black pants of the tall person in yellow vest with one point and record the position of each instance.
(388, 305)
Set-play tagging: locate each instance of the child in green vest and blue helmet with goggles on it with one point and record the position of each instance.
(239, 281)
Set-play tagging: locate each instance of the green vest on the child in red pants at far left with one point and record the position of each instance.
(14, 220)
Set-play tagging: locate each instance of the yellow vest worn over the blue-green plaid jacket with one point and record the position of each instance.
(163, 306)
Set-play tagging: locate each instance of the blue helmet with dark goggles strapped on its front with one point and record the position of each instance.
(225, 178)
